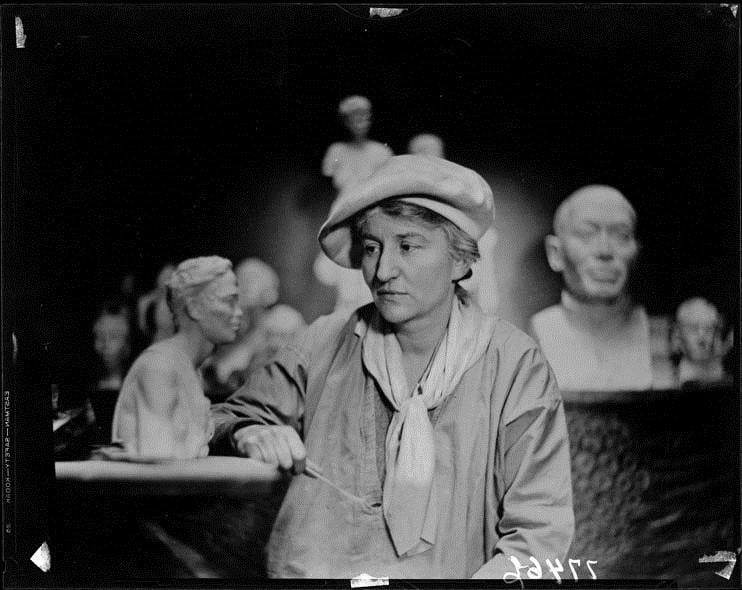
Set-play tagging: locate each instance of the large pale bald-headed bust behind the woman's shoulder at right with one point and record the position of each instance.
(595, 338)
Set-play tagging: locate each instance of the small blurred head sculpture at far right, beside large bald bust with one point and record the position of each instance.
(699, 344)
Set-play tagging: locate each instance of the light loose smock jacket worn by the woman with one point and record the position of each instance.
(502, 471)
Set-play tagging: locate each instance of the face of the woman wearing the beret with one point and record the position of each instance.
(409, 269)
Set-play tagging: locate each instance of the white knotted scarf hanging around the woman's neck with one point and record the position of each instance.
(410, 505)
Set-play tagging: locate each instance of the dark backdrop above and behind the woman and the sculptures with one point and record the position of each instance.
(133, 135)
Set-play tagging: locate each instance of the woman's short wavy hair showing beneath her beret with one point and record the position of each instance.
(461, 245)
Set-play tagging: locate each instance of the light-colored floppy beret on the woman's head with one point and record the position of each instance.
(457, 193)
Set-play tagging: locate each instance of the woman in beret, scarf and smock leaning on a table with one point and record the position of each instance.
(442, 426)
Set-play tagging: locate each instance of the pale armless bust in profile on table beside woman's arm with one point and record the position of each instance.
(162, 411)
